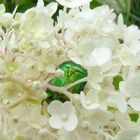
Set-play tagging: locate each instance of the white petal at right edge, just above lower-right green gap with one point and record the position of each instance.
(134, 103)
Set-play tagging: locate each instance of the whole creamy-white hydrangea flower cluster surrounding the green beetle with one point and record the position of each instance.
(32, 45)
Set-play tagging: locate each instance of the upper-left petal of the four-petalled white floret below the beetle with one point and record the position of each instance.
(55, 108)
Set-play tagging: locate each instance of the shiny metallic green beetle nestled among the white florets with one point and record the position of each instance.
(72, 73)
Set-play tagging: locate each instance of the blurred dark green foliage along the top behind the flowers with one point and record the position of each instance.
(129, 8)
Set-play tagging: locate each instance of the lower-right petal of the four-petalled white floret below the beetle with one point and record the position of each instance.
(71, 123)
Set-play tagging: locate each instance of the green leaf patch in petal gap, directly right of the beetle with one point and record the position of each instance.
(116, 80)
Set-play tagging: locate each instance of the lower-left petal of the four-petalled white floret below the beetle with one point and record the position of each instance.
(56, 122)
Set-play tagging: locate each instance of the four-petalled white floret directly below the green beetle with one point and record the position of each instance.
(62, 115)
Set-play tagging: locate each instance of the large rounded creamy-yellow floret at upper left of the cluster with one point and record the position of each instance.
(32, 23)
